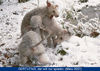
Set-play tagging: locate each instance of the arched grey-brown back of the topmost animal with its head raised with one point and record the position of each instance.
(26, 26)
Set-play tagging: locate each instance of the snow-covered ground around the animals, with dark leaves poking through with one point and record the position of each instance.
(78, 51)
